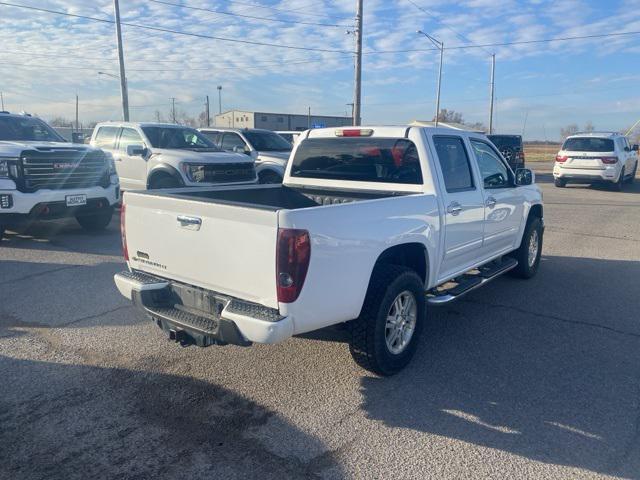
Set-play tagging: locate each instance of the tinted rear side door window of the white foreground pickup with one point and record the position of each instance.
(454, 163)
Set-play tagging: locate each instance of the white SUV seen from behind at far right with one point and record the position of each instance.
(596, 157)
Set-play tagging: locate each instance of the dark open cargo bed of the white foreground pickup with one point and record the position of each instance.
(276, 197)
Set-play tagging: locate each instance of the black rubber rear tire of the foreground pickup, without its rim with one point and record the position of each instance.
(368, 345)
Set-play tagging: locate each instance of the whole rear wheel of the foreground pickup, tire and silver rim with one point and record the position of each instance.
(385, 336)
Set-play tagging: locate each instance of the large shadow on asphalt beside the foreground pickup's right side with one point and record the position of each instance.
(509, 369)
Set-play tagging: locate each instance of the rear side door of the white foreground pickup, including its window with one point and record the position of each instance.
(463, 203)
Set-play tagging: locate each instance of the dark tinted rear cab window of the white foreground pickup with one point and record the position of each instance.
(385, 160)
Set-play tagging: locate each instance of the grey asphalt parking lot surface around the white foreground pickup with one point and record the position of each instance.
(521, 379)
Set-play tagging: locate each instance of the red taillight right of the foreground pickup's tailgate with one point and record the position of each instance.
(293, 253)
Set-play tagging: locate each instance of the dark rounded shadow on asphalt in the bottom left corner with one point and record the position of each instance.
(78, 422)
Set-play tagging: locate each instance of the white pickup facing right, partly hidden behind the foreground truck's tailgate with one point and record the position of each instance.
(158, 155)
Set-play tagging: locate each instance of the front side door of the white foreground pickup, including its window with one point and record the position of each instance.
(503, 201)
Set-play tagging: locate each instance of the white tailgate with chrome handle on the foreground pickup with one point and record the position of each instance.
(225, 248)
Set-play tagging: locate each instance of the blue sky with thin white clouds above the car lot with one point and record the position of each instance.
(46, 59)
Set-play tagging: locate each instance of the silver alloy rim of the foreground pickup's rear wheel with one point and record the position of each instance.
(401, 322)
